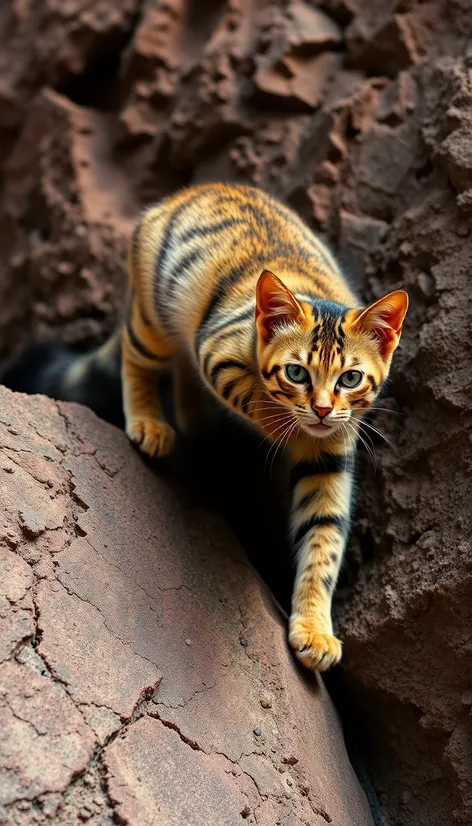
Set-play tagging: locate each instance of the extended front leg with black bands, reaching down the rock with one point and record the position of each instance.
(320, 522)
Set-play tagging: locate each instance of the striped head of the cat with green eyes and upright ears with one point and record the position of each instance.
(323, 361)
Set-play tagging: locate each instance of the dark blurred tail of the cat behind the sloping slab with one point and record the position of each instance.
(93, 378)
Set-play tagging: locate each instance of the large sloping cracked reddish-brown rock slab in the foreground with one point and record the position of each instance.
(145, 677)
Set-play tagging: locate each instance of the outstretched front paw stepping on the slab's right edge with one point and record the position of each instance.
(317, 651)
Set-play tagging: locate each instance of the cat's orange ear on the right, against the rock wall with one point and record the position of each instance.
(384, 319)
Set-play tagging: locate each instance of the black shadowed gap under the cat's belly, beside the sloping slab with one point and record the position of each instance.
(229, 470)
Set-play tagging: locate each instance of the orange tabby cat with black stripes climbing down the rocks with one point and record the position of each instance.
(228, 284)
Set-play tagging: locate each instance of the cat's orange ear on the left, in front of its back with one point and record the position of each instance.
(274, 304)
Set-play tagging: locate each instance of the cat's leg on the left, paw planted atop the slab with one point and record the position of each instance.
(145, 354)
